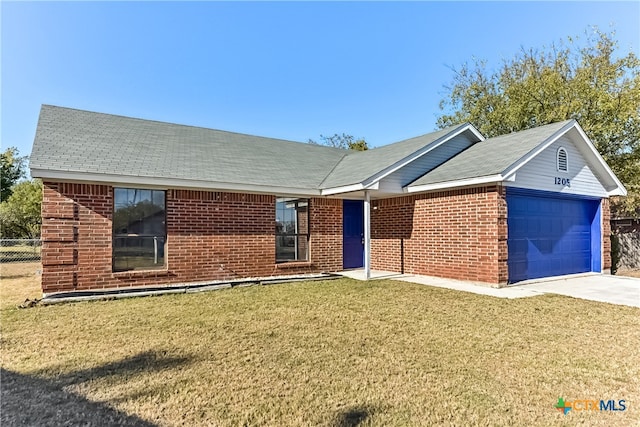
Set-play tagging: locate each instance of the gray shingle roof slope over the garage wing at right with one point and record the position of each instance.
(490, 157)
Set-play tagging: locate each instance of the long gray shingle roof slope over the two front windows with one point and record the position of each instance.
(80, 141)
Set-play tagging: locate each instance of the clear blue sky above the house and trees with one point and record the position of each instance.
(291, 70)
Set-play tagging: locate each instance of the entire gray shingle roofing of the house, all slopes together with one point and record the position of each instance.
(70, 140)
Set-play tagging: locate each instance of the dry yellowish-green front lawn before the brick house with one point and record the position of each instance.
(336, 352)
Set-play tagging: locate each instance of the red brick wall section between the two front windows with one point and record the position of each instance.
(219, 236)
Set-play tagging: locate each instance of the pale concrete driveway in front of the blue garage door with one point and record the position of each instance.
(595, 287)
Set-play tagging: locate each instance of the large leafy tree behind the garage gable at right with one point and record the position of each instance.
(571, 80)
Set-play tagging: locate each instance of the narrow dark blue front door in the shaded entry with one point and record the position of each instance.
(353, 234)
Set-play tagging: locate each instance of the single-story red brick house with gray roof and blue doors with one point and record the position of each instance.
(131, 202)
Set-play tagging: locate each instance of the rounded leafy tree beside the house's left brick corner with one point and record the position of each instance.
(20, 214)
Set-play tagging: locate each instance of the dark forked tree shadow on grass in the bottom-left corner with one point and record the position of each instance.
(30, 400)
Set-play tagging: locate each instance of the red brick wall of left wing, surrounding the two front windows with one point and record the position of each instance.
(210, 236)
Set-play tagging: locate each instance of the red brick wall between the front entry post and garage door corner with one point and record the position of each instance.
(458, 234)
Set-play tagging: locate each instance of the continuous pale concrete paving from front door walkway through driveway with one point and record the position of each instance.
(595, 287)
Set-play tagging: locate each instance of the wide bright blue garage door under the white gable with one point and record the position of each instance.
(551, 236)
